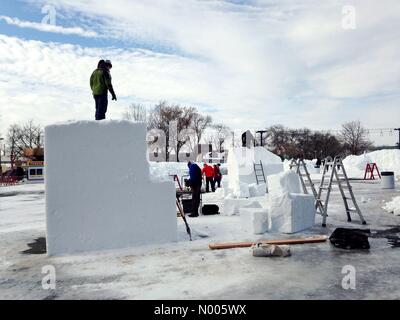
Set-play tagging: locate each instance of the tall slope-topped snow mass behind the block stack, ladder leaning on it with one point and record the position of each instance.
(241, 167)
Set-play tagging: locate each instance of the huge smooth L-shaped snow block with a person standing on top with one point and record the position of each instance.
(98, 190)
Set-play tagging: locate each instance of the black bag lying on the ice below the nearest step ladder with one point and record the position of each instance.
(350, 238)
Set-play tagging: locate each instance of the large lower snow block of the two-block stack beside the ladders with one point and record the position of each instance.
(290, 213)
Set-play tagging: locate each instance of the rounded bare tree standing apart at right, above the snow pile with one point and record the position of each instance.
(354, 137)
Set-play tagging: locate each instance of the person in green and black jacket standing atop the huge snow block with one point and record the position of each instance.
(100, 83)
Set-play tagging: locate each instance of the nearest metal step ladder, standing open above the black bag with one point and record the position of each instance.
(337, 176)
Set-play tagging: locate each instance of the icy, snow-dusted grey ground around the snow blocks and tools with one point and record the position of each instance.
(189, 270)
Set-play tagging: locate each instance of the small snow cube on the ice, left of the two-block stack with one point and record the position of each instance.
(254, 220)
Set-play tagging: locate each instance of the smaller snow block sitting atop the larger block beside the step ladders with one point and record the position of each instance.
(284, 182)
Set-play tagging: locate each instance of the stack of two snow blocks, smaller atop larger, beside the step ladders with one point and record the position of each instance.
(290, 210)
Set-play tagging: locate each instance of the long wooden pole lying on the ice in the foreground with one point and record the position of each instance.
(231, 245)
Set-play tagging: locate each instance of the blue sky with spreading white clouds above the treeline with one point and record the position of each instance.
(249, 64)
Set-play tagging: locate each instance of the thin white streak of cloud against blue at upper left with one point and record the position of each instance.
(49, 27)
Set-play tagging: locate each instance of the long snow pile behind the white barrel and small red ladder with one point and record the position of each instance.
(386, 160)
